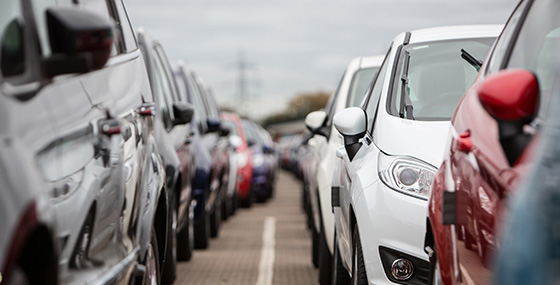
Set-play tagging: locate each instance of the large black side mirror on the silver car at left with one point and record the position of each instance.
(80, 40)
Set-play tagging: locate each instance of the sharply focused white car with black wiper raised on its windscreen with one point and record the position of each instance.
(392, 146)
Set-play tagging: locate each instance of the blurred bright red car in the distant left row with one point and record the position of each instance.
(242, 159)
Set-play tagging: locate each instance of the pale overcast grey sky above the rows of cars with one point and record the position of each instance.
(289, 47)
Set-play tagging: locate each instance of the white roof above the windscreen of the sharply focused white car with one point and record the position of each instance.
(450, 33)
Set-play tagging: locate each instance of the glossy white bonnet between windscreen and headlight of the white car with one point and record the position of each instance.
(424, 140)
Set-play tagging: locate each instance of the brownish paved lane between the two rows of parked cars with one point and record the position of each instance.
(266, 244)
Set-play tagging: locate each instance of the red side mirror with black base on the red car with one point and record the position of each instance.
(512, 98)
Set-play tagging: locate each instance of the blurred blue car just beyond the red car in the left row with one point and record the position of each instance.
(262, 183)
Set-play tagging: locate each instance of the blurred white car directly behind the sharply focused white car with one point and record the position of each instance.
(351, 90)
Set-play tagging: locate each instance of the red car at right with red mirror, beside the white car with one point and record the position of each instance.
(489, 147)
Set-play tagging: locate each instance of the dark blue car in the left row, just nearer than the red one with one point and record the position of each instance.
(211, 158)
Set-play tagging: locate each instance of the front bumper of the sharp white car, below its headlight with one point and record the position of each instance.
(396, 222)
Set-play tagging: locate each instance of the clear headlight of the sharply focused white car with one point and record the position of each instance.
(407, 175)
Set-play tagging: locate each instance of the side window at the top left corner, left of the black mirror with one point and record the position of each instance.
(12, 49)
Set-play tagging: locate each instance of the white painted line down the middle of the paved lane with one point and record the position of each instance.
(266, 265)
